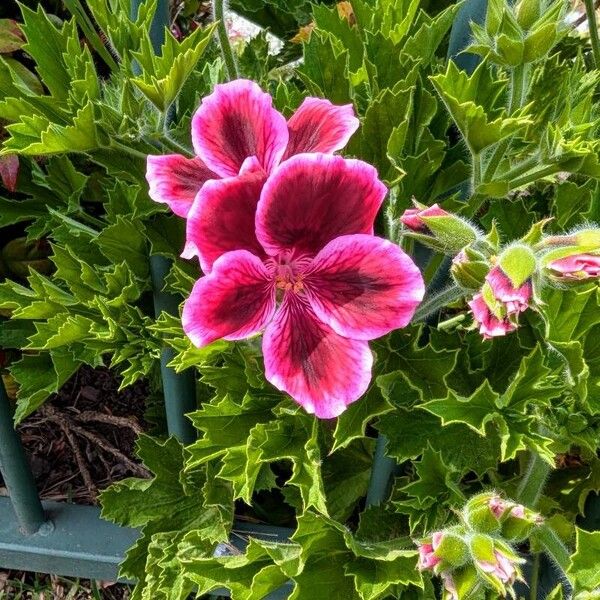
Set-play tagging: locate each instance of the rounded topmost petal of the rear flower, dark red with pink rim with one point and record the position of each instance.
(237, 121)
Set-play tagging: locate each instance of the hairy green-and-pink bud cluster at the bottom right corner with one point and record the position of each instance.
(477, 554)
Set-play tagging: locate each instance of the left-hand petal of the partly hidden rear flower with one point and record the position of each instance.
(175, 180)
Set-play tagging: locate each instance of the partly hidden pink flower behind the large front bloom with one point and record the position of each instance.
(237, 122)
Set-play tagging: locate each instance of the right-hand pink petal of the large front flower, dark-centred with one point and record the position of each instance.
(363, 286)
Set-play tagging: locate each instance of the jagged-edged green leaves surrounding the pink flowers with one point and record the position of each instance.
(459, 414)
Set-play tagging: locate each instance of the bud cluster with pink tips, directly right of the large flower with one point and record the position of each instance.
(504, 281)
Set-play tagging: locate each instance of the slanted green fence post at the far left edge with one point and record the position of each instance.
(16, 471)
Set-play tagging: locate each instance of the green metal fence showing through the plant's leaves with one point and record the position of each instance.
(72, 540)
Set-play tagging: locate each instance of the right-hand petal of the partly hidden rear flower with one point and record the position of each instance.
(319, 126)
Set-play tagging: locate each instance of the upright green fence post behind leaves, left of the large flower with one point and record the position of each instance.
(179, 389)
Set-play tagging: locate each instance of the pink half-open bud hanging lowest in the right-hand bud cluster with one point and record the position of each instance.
(497, 306)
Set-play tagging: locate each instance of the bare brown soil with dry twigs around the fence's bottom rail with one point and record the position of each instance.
(79, 442)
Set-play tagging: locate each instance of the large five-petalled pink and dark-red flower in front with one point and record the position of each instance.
(302, 264)
